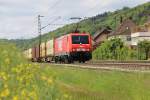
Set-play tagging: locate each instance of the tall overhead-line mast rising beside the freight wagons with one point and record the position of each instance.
(39, 32)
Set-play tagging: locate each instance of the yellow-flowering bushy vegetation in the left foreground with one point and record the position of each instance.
(20, 80)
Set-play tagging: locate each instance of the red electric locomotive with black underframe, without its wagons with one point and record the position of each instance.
(73, 47)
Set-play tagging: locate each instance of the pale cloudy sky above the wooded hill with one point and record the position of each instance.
(18, 18)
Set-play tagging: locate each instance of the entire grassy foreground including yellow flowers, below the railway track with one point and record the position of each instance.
(23, 80)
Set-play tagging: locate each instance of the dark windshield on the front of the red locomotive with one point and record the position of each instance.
(80, 39)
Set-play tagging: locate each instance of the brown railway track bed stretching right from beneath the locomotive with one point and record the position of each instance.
(119, 66)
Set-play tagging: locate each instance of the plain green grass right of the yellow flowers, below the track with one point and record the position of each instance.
(101, 85)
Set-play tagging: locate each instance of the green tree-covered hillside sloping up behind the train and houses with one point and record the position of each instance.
(139, 15)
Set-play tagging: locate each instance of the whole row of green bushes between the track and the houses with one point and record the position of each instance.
(115, 49)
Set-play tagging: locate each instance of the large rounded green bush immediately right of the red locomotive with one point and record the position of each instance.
(114, 50)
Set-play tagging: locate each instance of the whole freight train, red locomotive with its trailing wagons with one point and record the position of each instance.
(67, 49)
